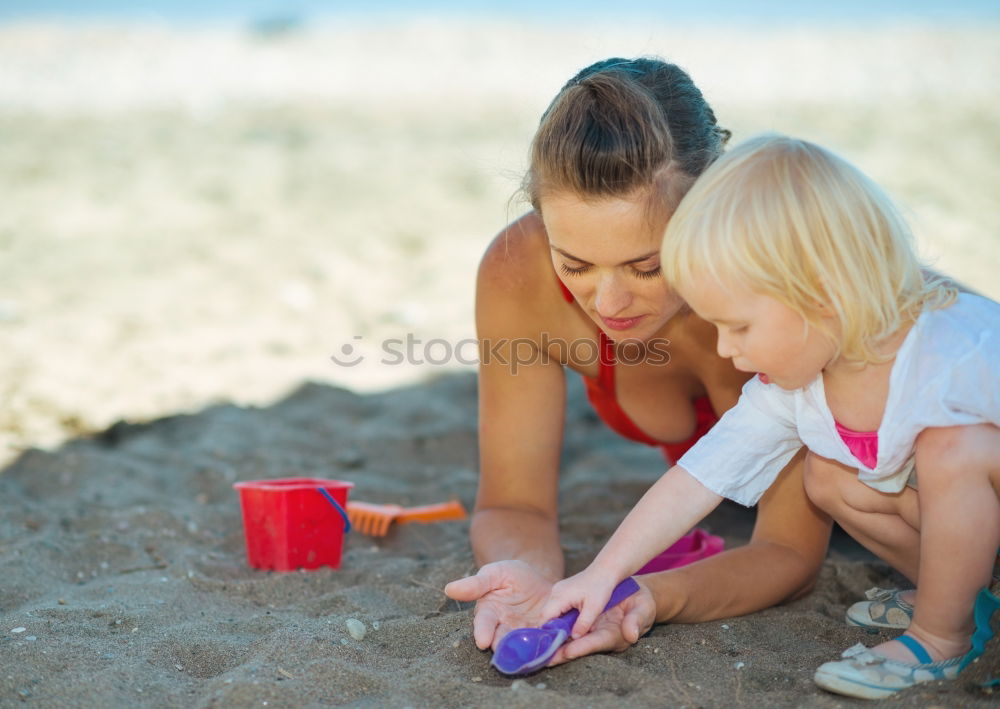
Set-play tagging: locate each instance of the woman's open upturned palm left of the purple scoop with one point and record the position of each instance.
(508, 595)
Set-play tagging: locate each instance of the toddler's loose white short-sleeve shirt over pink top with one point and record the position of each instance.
(946, 373)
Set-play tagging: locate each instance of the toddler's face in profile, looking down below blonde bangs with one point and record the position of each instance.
(761, 334)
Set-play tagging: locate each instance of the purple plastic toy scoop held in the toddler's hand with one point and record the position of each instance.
(524, 650)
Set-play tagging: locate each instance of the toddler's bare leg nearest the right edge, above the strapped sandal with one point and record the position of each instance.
(958, 476)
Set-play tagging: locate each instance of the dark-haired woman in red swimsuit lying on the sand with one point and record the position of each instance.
(614, 153)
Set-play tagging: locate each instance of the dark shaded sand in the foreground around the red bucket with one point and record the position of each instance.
(123, 561)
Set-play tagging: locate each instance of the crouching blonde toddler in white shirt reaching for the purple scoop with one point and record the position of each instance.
(885, 374)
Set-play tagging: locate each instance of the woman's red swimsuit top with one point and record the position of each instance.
(601, 393)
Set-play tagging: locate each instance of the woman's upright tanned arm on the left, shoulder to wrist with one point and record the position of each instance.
(522, 400)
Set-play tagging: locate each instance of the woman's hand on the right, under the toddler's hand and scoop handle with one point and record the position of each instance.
(616, 629)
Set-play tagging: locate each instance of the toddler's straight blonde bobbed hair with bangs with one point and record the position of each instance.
(789, 219)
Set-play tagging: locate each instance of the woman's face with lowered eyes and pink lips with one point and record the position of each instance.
(607, 253)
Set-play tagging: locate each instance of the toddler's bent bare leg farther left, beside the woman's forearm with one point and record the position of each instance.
(886, 524)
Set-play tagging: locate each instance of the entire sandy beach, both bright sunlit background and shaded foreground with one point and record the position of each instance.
(194, 222)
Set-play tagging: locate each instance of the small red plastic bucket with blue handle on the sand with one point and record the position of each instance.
(290, 524)
